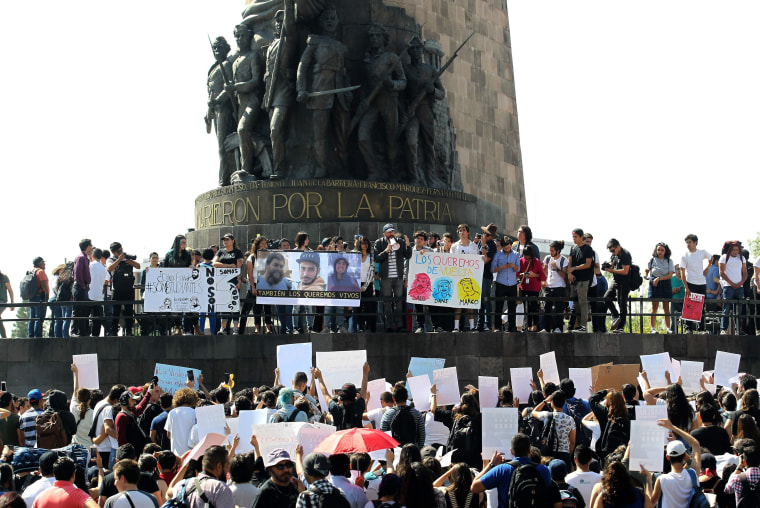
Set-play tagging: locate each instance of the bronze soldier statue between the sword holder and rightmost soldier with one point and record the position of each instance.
(385, 76)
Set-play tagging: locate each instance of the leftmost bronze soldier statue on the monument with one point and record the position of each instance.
(221, 110)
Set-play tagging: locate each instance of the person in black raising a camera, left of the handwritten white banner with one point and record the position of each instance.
(121, 265)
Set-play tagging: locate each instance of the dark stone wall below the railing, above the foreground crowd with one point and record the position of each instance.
(45, 363)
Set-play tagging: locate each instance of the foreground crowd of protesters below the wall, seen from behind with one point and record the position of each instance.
(130, 446)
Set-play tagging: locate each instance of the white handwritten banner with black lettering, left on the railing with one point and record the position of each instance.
(201, 289)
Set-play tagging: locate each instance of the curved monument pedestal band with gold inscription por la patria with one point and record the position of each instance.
(326, 207)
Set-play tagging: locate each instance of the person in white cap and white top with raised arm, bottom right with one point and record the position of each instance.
(675, 487)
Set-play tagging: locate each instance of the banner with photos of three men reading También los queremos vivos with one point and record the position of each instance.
(328, 278)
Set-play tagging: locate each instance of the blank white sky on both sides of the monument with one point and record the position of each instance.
(636, 121)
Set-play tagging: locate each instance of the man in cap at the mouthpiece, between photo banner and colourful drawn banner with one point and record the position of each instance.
(390, 253)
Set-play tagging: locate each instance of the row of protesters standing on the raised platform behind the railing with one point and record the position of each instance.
(522, 289)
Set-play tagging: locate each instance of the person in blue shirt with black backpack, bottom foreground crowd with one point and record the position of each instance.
(519, 482)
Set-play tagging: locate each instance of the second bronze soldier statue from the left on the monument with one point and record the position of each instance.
(248, 71)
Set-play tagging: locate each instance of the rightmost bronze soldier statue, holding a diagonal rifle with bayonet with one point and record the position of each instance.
(420, 127)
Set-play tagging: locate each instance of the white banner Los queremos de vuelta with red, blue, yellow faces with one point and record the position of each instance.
(445, 280)
